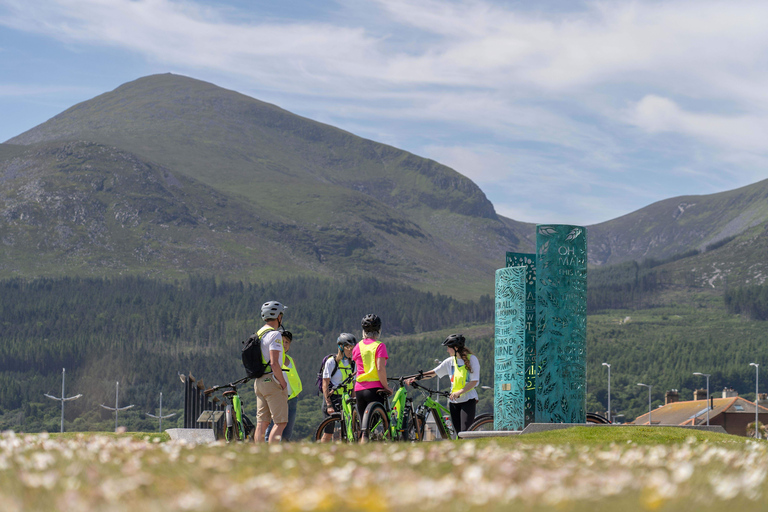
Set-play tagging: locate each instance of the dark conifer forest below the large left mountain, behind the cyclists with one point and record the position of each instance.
(144, 332)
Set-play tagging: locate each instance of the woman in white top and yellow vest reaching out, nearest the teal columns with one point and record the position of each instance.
(464, 370)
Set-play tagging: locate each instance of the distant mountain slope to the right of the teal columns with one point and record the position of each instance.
(724, 236)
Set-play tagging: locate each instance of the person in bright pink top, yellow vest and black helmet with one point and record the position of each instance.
(370, 356)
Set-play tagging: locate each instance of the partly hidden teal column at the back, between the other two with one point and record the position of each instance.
(516, 259)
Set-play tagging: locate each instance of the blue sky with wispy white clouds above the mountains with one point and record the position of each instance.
(561, 111)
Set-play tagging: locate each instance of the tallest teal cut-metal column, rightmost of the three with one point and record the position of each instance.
(561, 330)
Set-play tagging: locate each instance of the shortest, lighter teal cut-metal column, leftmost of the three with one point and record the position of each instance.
(509, 350)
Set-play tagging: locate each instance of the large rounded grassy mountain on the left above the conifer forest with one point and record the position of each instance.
(168, 175)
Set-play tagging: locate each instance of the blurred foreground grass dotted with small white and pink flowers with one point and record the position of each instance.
(576, 469)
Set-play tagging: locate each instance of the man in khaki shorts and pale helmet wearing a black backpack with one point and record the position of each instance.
(272, 389)
